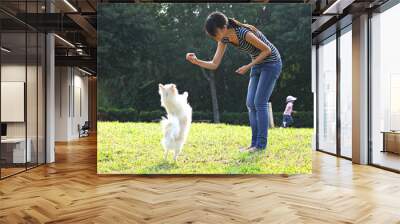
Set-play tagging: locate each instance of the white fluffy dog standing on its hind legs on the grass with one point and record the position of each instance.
(176, 125)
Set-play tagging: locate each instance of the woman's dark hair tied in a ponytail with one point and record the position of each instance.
(219, 20)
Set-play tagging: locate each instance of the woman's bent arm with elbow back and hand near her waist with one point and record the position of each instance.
(256, 42)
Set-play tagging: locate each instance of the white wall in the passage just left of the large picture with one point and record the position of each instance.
(70, 83)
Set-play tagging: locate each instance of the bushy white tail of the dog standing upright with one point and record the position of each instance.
(171, 128)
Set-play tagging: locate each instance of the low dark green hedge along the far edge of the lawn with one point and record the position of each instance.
(301, 118)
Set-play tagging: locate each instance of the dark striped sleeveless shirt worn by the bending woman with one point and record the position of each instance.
(252, 50)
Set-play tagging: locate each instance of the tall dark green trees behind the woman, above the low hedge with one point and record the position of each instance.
(141, 45)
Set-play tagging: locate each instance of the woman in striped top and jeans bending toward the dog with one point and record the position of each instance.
(265, 68)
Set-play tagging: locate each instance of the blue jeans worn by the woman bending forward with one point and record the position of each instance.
(262, 81)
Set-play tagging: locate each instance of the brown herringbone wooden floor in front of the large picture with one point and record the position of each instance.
(69, 191)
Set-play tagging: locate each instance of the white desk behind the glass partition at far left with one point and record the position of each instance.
(17, 150)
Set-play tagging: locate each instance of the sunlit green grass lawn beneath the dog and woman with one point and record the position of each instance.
(134, 148)
